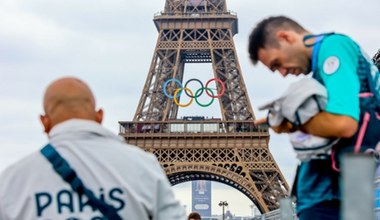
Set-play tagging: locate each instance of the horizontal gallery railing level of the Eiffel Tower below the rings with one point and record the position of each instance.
(207, 126)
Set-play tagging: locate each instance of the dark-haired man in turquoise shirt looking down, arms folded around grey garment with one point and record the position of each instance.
(338, 63)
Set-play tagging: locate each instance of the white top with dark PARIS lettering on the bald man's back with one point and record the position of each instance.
(125, 176)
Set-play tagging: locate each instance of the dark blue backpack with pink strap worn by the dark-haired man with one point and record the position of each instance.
(367, 138)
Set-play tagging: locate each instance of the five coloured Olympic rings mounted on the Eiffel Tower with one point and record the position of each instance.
(189, 93)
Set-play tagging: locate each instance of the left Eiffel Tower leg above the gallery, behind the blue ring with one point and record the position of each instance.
(166, 64)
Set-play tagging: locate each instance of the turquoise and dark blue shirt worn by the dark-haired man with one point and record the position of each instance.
(337, 65)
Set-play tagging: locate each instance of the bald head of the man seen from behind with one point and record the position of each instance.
(68, 98)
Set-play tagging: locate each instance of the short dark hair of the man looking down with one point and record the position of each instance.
(264, 34)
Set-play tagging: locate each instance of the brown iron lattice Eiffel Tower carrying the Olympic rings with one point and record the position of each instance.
(231, 149)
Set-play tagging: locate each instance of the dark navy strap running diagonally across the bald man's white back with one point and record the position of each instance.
(62, 167)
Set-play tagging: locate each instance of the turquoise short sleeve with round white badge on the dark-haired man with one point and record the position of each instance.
(338, 63)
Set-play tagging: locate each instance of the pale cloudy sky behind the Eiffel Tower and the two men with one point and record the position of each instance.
(109, 44)
